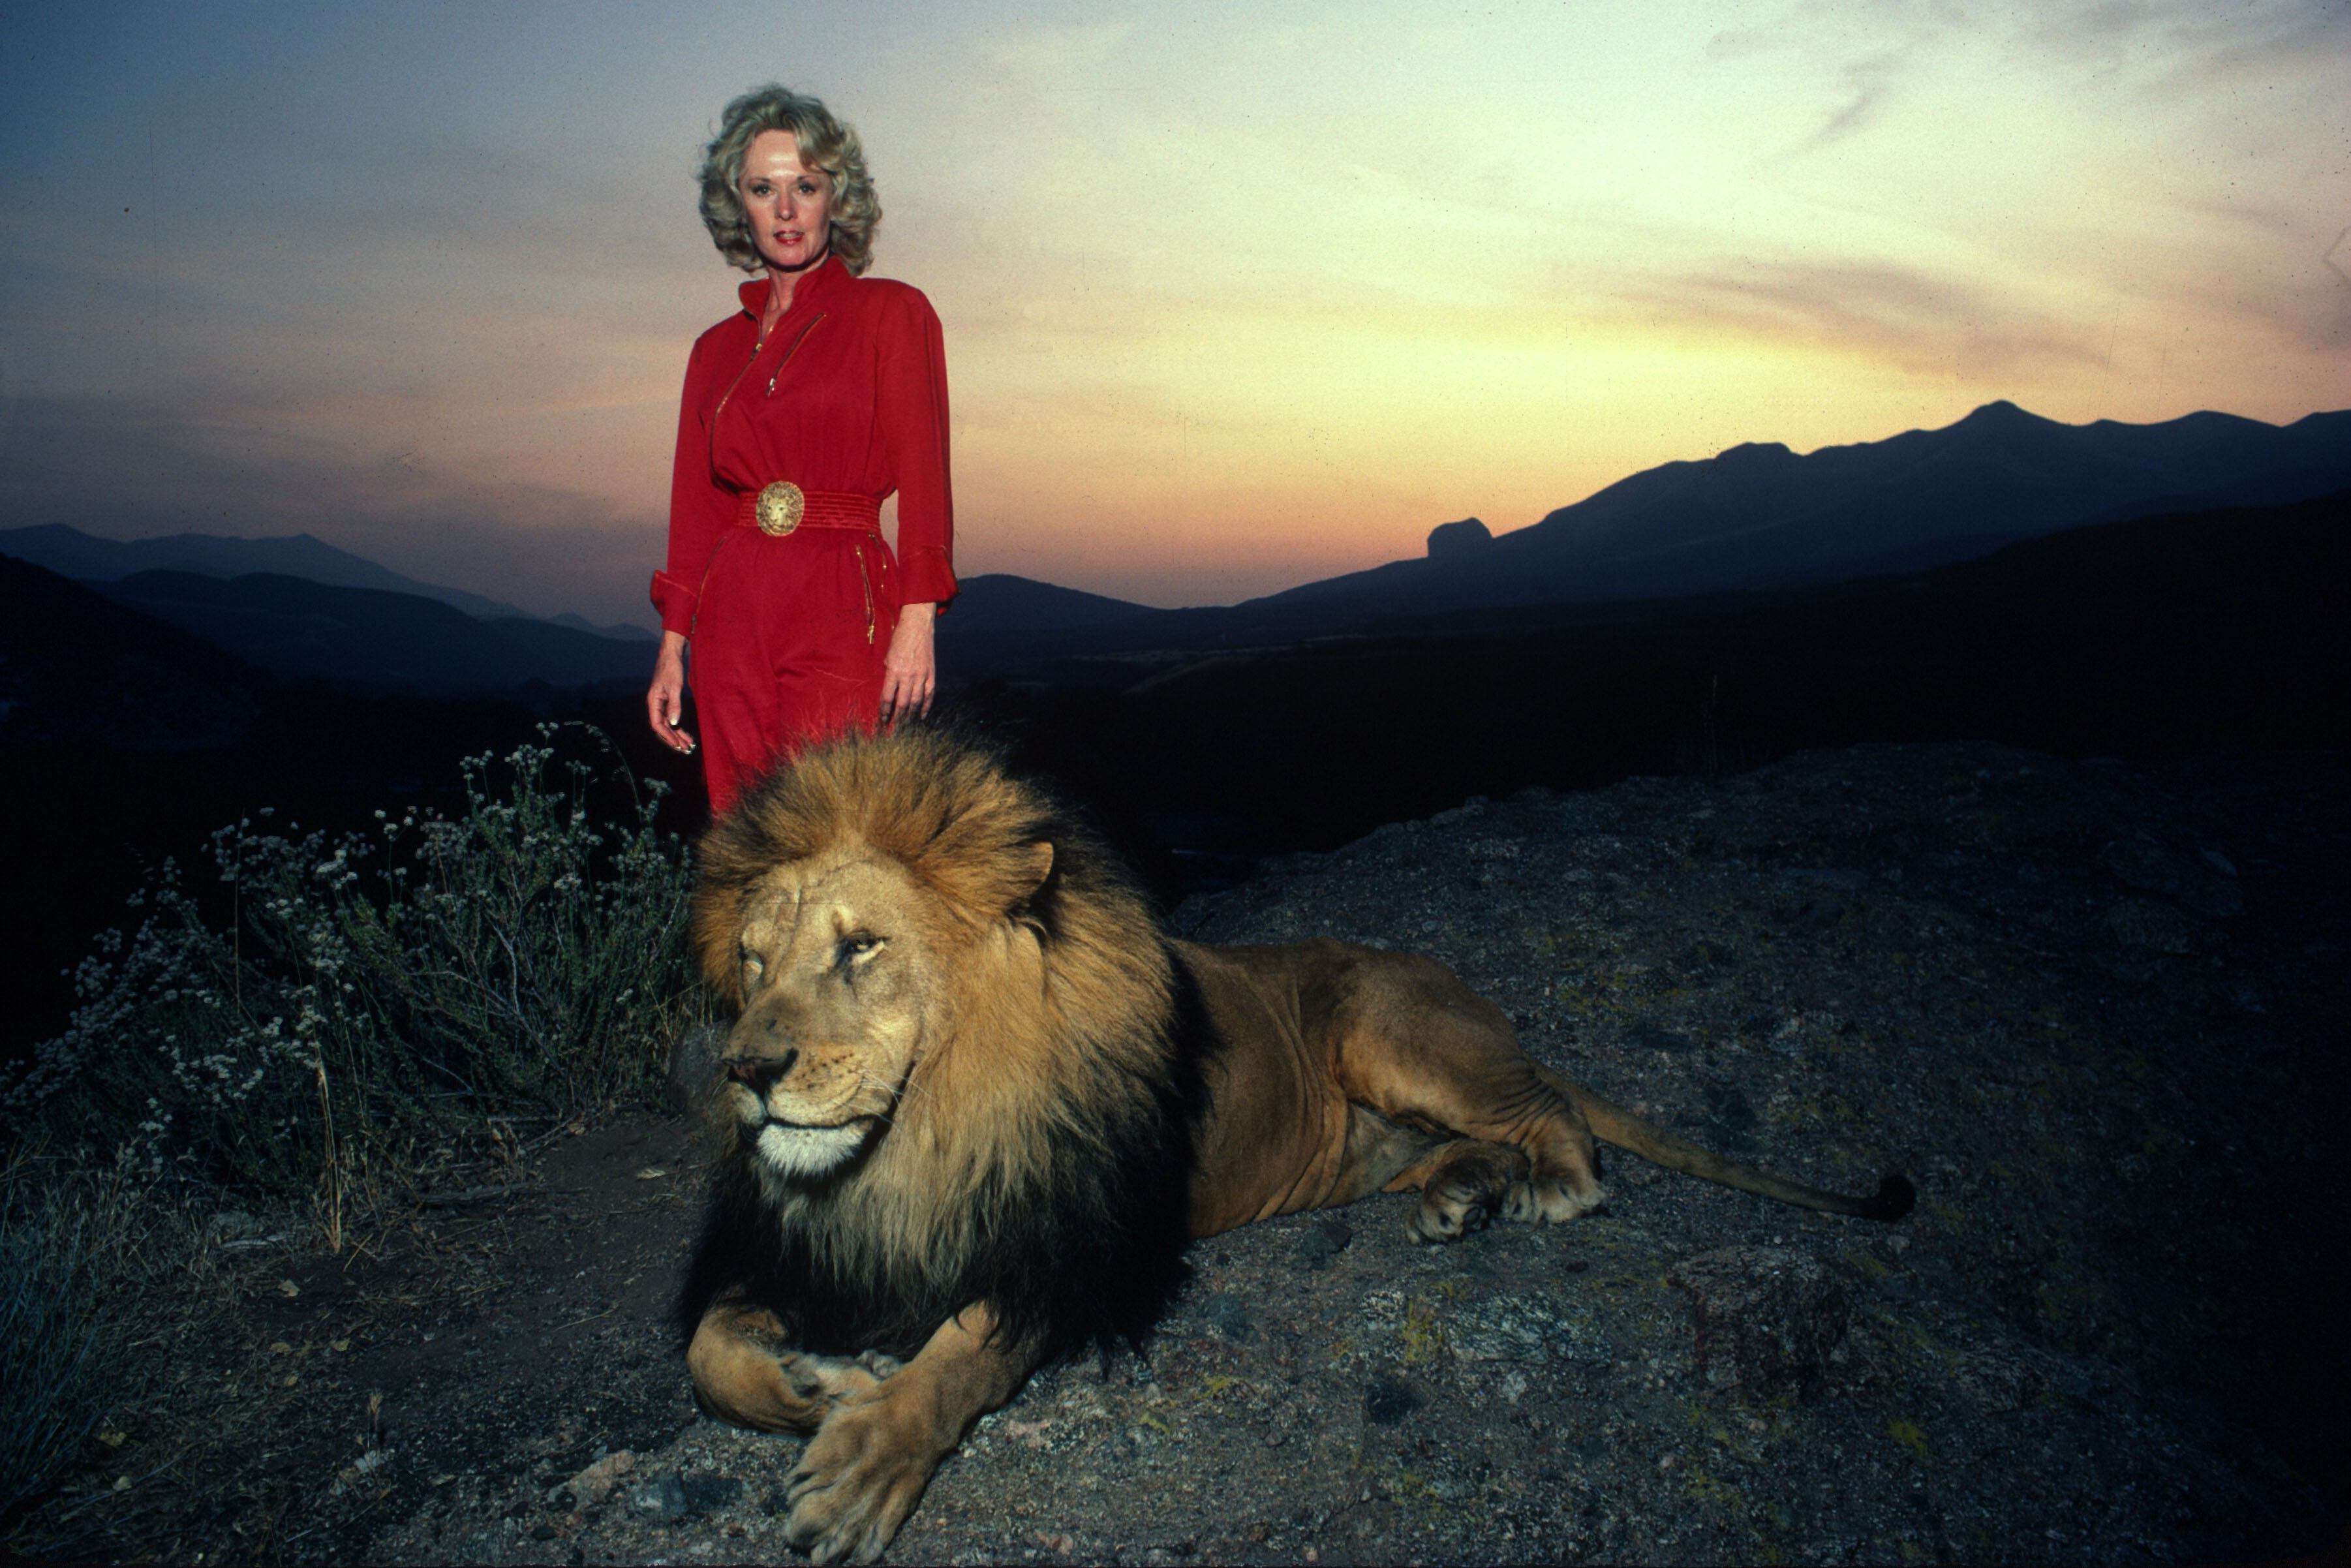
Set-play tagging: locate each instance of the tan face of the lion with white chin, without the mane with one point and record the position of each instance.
(840, 960)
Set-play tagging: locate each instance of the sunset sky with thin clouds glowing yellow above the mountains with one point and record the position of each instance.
(1235, 295)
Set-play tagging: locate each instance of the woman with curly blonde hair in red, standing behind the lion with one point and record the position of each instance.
(803, 413)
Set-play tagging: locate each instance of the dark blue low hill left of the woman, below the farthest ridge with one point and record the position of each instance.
(363, 636)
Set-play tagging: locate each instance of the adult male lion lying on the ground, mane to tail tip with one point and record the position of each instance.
(982, 1104)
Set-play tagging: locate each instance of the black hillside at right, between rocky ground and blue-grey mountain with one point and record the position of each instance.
(2134, 638)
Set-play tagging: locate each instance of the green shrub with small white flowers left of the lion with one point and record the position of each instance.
(521, 958)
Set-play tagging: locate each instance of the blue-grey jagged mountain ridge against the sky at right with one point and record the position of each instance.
(1762, 516)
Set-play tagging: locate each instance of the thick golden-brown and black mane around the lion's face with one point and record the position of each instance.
(1040, 1151)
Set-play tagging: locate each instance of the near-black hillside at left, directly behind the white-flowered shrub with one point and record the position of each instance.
(126, 742)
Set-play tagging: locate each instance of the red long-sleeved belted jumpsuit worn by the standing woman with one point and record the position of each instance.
(848, 398)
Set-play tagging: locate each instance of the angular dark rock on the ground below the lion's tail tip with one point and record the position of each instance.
(1767, 1318)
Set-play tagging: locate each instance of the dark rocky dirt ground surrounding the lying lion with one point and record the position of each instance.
(2098, 1012)
